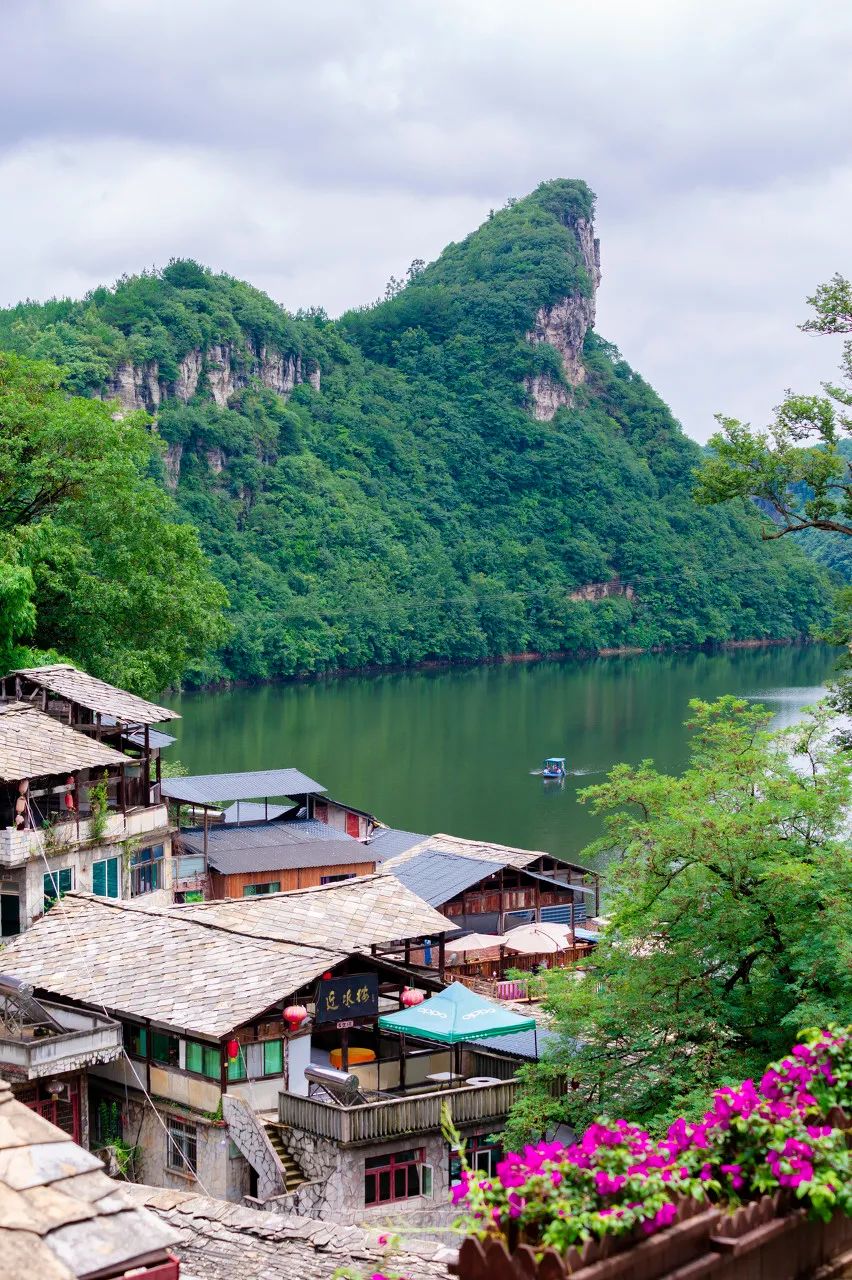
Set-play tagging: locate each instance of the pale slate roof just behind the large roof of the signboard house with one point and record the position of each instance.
(350, 916)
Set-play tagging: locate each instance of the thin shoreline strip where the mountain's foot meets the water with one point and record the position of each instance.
(530, 656)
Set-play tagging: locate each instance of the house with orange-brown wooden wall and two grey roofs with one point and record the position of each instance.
(280, 831)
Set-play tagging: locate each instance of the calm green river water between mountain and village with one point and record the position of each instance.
(454, 751)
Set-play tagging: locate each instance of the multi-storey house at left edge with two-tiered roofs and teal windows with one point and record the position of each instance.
(80, 794)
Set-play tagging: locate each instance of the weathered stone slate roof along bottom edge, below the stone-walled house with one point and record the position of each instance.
(219, 1241)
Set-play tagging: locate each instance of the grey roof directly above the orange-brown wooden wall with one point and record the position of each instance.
(276, 847)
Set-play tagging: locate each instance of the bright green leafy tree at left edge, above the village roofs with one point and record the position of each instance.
(94, 566)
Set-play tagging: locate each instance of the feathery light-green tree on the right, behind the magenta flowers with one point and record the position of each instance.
(730, 907)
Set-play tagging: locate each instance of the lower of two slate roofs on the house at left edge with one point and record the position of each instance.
(34, 744)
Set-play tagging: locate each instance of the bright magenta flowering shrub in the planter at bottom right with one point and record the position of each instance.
(781, 1135)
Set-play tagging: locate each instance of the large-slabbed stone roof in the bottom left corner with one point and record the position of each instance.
(61, 1215)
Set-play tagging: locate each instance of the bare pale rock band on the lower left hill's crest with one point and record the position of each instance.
(228, 368)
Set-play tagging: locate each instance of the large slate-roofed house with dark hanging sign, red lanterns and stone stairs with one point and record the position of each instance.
(253, 1064)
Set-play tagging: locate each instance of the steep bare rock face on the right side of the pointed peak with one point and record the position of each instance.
(565, 327)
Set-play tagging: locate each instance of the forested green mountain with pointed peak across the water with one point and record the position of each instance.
(462, 470)
